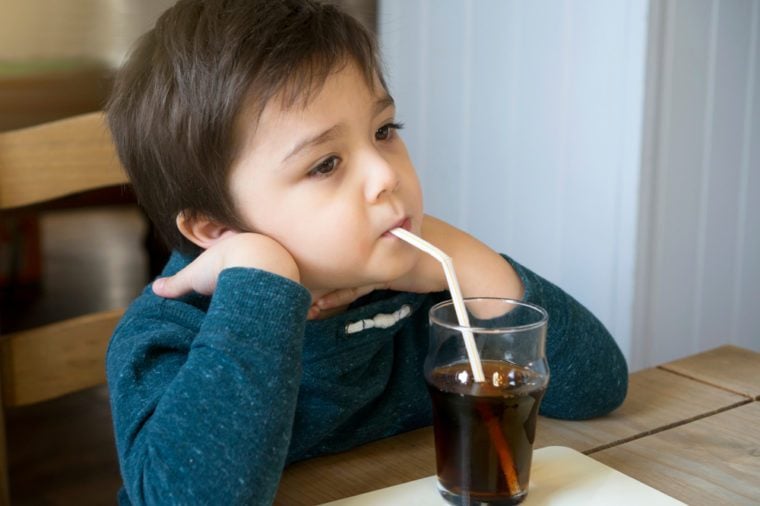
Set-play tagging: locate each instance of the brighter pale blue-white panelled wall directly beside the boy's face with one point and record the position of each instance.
(523, 119)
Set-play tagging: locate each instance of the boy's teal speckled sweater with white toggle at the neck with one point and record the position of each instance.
(213, 396)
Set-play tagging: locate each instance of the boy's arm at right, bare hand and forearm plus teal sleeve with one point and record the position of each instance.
(589, 376)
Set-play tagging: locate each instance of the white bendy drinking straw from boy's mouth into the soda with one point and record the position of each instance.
(456, 296)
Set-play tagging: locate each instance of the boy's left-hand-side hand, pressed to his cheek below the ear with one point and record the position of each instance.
(236, 250)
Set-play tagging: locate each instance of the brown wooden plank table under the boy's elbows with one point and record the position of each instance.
(690, 428)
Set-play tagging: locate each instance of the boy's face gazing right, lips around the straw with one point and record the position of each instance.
(328, 181)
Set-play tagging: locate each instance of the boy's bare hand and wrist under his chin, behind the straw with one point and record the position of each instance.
(481, 271)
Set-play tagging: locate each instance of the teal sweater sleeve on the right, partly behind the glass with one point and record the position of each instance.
(589, 375)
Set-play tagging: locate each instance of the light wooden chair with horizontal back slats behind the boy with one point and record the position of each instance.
(40, 164)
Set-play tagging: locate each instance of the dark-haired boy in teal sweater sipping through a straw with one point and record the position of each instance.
(261, 139)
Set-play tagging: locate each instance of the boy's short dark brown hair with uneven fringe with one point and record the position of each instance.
(177, 101)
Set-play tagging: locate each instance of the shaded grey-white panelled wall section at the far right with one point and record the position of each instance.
(699, 263)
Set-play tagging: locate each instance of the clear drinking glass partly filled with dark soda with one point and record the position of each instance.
(484, 431)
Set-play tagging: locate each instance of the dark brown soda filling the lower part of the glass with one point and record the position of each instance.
(484, 432)
